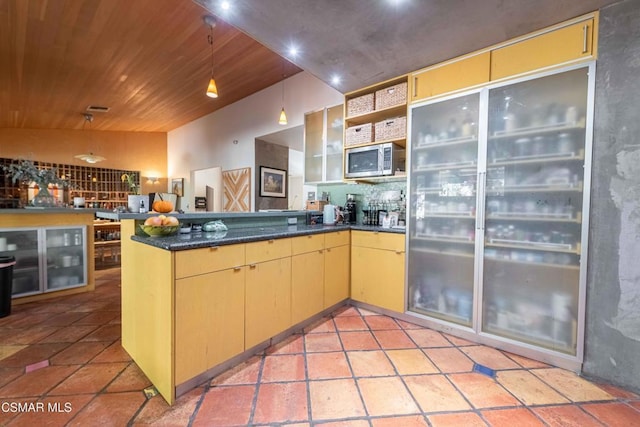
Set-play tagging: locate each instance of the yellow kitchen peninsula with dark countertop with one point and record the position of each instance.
(195, 304)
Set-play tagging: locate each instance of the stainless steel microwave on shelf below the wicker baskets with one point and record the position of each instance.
(374, 160)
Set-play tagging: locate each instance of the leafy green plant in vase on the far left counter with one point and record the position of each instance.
(27, 172)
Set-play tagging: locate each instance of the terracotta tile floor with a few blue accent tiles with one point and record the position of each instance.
(354, 368)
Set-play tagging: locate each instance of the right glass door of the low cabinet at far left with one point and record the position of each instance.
(65, 254)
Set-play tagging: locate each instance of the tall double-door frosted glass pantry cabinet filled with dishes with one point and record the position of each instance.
(499, 187)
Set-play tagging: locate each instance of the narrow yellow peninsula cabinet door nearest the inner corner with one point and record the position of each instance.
(336, 274)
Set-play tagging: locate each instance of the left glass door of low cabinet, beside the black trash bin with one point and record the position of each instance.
(22, 244)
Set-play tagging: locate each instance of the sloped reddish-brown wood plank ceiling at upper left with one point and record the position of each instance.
(149, 61)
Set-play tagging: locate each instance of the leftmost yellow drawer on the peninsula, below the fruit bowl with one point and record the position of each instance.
(206, 260)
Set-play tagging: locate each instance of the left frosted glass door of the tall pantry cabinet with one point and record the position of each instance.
(444, 153)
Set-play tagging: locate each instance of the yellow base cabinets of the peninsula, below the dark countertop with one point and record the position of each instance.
(183, 328)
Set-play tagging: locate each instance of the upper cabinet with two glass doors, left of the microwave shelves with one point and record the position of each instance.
(323, 142)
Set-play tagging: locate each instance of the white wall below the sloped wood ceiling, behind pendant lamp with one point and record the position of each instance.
(208, 141)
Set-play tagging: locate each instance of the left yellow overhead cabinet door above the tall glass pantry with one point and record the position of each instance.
(454, 75)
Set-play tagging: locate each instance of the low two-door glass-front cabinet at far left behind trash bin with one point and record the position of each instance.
(47, 258)
